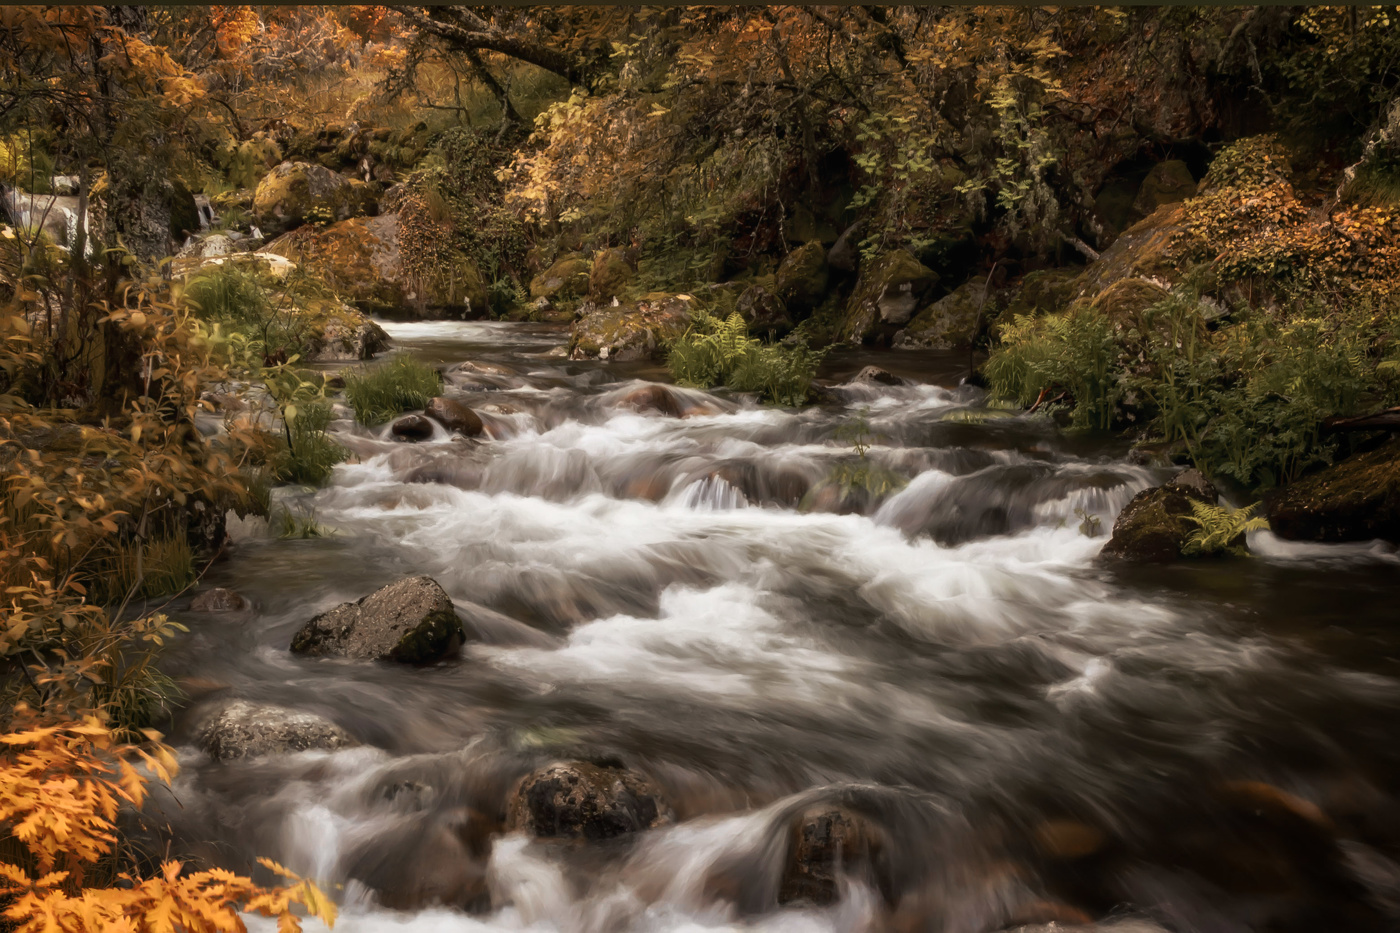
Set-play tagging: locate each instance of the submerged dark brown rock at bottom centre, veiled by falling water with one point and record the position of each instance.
(827, 844)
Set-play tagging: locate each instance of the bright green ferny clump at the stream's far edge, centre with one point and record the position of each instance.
(720, 352)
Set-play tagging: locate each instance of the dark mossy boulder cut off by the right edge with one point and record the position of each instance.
(1357, 499)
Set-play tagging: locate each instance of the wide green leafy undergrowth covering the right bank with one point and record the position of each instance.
(1245, 401)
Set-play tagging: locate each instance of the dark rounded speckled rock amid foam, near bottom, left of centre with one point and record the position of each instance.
(583, 801)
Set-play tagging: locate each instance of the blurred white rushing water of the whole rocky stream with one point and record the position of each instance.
(703, 599)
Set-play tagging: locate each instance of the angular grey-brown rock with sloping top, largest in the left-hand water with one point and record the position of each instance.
(411, 621)
